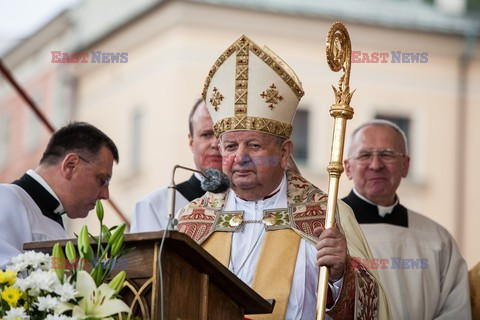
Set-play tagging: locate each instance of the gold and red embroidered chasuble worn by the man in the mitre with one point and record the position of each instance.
(361, 296)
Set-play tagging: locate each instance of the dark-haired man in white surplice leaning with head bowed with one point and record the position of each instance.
(74, 172)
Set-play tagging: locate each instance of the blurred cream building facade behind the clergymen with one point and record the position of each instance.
(427, 82)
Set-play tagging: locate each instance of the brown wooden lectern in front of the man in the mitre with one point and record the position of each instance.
(195, 285)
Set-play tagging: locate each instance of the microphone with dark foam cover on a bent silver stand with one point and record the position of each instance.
(215, 181)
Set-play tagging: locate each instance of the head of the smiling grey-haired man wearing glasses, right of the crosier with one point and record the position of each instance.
(377, 176)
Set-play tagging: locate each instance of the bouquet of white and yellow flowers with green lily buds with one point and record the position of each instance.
(39, 286)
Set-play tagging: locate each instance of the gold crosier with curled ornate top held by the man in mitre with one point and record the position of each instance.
(339, 58)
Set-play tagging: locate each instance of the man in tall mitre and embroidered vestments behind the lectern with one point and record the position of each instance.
(267, 228)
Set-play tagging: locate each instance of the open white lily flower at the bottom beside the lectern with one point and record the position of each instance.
(96, 302)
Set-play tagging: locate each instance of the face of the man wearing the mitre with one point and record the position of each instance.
(254, 162)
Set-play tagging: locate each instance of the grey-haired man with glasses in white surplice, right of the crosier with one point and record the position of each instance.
(418, 261)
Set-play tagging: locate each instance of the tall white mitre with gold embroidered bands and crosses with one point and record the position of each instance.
(251, 88)
